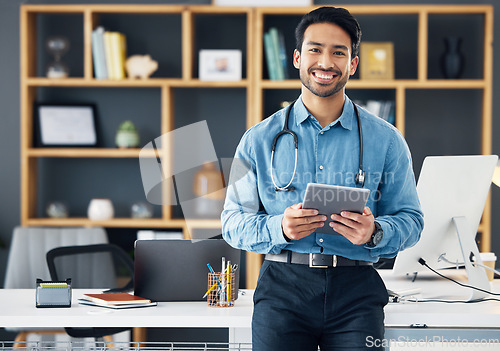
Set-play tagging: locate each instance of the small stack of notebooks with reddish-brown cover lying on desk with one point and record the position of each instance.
(115, 300)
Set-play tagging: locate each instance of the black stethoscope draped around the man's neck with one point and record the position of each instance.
(360, 175)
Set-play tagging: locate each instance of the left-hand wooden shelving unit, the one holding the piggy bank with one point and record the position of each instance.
(30, 82)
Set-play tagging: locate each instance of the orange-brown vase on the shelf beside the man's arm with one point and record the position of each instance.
(208, 186)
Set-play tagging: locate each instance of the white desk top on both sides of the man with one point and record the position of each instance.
(17, 309)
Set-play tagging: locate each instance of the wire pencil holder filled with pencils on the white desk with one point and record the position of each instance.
(220, 290)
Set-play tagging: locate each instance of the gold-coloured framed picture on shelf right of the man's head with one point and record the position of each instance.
(377, 60)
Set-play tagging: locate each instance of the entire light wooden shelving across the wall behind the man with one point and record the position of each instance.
(254, 83)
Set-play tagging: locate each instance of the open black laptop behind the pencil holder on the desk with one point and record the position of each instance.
(176, 270)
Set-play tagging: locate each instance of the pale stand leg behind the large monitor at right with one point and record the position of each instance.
(476, 274)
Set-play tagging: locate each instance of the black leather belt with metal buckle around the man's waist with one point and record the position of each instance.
(314, 260)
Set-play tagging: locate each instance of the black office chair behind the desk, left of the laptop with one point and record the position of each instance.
(104, 266)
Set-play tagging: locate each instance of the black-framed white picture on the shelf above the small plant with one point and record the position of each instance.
(66, 125)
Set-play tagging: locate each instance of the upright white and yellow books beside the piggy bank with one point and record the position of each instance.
(109, 52)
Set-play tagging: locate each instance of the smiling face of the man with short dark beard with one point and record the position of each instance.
(325, 62)
